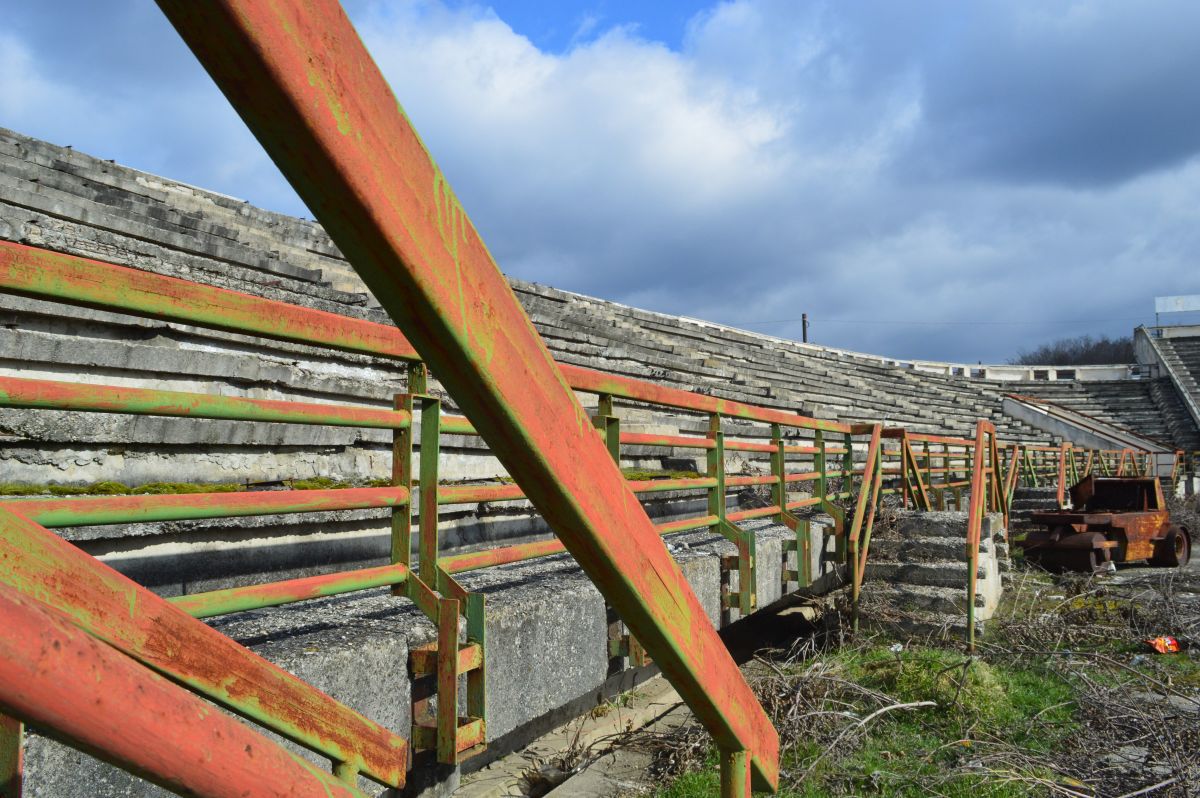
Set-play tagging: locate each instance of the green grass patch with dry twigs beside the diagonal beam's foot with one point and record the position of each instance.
(868, 721)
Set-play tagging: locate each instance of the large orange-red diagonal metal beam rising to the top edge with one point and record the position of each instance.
(308, 88)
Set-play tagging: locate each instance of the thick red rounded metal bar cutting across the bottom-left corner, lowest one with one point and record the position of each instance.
(67, 685)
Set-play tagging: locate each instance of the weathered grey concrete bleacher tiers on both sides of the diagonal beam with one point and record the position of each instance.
(63, 200)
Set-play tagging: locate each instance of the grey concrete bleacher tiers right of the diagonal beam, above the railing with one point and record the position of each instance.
(814, 381)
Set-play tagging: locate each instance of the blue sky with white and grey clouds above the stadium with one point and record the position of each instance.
(926, 179)
